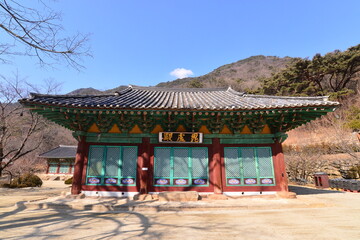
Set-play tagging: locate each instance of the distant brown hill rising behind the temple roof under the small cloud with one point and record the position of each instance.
(240, 75)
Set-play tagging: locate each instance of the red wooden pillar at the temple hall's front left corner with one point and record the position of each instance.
(78, 167)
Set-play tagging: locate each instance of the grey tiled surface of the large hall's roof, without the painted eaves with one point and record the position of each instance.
(181, 99)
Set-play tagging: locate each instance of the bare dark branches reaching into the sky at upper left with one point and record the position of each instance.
(38, 30)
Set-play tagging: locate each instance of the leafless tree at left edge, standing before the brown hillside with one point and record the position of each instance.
(21, 131)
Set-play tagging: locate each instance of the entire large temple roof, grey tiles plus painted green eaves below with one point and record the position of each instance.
(144, 109)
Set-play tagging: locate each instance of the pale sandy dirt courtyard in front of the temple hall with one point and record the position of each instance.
(337, 217)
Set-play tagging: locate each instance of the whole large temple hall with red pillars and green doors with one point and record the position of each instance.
(150, 140)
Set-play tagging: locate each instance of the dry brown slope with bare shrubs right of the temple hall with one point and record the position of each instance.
(336, 152)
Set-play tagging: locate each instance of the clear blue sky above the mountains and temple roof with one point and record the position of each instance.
(142, 42)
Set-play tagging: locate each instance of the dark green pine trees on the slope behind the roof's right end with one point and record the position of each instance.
(336, 74)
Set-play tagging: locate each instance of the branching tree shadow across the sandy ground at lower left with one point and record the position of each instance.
(42, 223)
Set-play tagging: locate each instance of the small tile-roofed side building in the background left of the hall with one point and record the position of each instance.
(60, 160)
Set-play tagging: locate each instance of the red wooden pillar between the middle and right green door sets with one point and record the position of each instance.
(215, 166)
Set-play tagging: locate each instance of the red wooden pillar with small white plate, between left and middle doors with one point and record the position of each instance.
(144, 165)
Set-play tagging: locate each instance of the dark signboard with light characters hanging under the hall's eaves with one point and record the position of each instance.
(180, 137)
